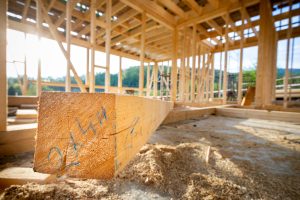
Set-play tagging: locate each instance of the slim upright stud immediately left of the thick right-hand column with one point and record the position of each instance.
(240, 85)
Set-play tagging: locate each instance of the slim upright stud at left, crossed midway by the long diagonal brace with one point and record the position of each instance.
(68, 40)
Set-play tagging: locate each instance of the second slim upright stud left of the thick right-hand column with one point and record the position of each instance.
(225, 62)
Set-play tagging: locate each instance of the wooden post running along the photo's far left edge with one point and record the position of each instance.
(3, 78)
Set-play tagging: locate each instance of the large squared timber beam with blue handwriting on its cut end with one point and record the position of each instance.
(92, 135)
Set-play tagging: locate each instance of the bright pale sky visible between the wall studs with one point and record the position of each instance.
(54, 63)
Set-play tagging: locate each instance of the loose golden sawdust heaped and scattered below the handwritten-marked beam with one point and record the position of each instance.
(179, 171)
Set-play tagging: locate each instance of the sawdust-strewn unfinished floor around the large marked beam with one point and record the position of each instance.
(248, 159)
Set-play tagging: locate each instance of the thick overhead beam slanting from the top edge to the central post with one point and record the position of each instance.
(153, 10)
